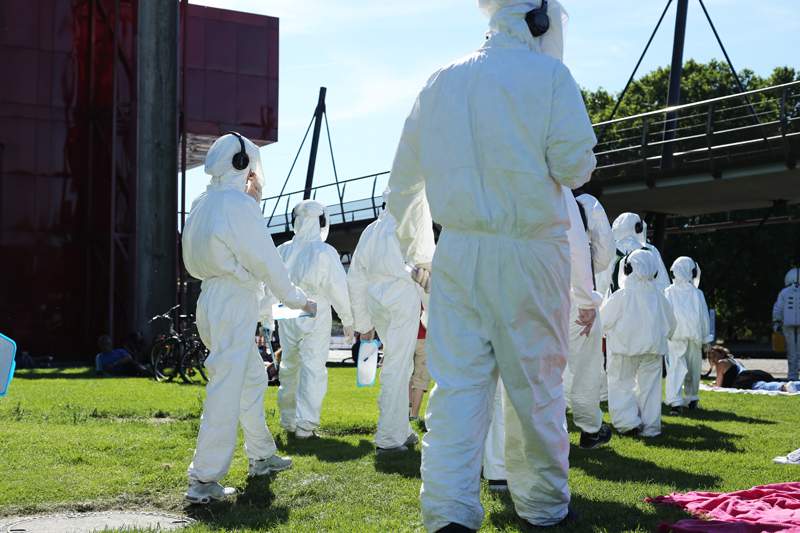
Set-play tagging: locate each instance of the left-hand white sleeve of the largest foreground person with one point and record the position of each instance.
(407, 201)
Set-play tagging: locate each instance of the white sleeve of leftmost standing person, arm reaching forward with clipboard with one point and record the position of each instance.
(254, 250)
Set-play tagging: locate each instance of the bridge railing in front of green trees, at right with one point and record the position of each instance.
(709, 136)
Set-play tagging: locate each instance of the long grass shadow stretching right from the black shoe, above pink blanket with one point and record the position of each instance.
(605, 463)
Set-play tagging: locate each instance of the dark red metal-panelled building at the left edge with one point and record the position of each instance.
(72, 201)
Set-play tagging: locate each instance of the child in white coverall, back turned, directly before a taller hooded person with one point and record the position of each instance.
(637, 320)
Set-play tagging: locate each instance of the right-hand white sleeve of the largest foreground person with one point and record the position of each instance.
(570, 137)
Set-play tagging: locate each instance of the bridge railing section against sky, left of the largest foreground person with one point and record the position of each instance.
(348, 201)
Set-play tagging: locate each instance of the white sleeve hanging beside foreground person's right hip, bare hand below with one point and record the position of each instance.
(581, 282)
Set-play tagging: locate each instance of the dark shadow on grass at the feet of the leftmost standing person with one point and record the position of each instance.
(251, 508)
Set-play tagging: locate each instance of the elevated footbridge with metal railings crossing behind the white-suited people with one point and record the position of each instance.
(730, 153)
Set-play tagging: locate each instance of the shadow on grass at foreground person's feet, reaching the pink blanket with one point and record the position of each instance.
(593, 515)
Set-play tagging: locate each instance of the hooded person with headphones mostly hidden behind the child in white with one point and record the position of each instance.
(630, 232)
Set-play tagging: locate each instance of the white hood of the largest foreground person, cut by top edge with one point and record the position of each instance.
(507, 25)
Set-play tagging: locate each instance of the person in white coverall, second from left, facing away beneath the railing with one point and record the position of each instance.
(316, 268)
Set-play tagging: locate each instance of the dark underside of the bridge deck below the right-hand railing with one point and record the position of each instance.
(702, 193)
